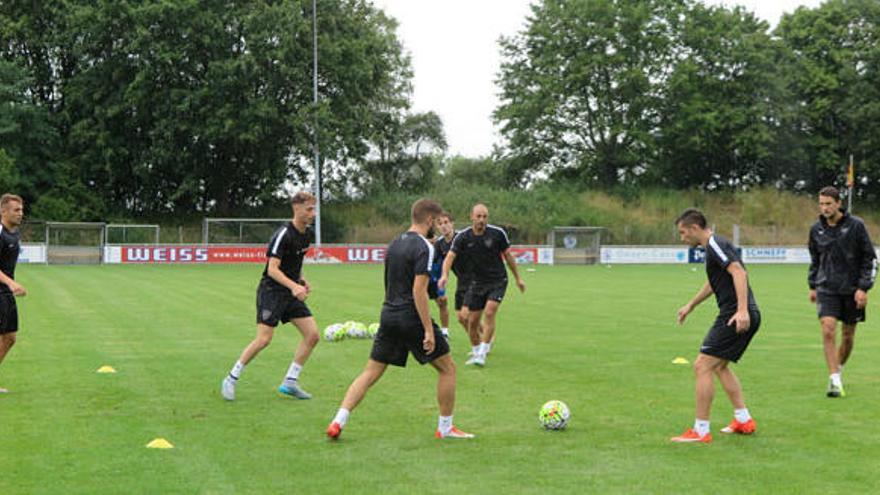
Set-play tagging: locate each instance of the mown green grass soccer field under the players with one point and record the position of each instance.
(601, 339)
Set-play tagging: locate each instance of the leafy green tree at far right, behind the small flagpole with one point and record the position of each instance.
(834, 72)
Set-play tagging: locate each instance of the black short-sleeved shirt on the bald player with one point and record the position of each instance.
(483, 252)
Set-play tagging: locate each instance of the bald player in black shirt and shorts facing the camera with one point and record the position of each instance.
(484, 246)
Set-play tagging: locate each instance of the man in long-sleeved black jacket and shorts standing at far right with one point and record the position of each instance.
(843, 266)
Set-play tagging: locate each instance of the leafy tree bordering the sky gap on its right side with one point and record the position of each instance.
(582, 85)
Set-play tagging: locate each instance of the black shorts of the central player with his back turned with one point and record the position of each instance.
(401, 333)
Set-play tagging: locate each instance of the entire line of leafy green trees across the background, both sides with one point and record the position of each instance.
(132, 109)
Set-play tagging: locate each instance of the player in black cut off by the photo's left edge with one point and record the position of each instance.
(11, 216)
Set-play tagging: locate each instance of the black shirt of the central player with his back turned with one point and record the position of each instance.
(408, 255)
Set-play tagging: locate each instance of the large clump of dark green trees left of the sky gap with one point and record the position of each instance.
(191, 106)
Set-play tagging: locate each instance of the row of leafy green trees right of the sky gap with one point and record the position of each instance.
(676, 93)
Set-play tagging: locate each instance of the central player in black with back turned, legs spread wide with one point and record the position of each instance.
(405, 326)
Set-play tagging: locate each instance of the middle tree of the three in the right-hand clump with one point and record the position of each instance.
(719, 120)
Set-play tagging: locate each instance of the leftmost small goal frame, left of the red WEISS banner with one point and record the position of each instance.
(74, 243)
